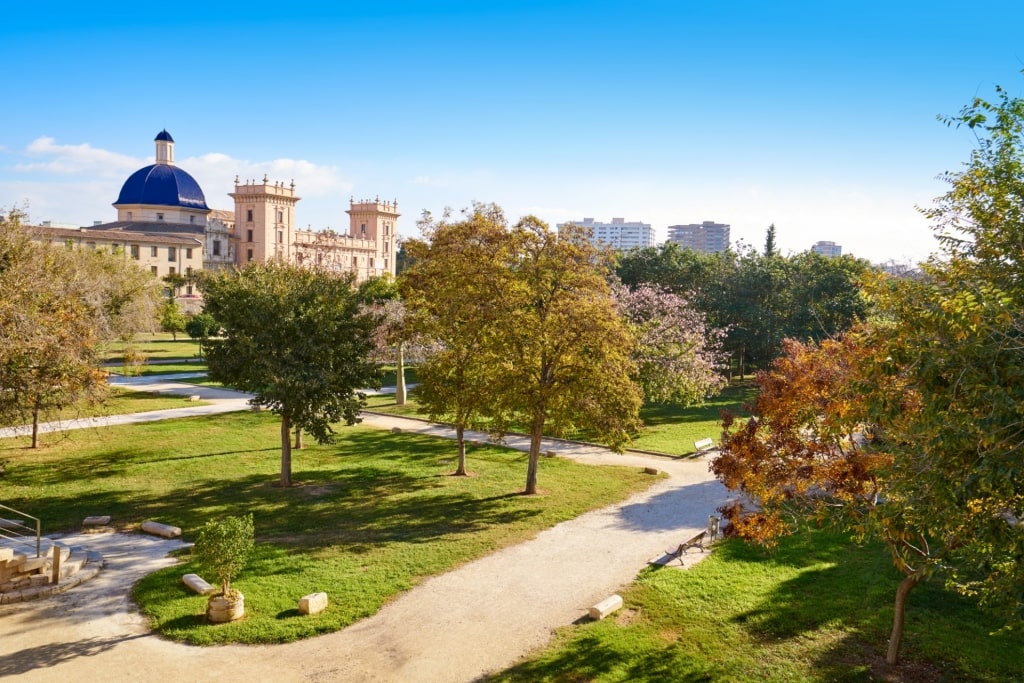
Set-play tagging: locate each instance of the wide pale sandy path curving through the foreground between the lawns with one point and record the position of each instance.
(481, 618)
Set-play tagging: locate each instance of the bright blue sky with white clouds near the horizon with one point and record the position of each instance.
(819, 117)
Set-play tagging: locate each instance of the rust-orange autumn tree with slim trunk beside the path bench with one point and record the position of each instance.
(810, 453)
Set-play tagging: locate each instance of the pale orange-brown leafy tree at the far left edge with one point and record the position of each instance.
(53, 331)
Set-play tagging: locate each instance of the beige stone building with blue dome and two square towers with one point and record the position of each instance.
(166, 228)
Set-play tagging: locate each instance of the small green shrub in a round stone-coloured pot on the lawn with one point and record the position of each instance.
(223, 547)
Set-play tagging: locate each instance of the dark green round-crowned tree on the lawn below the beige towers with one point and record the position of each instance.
(298, 340)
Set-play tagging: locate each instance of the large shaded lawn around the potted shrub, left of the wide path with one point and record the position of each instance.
(374, 515)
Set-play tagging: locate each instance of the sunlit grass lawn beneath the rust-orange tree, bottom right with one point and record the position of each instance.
(818, 610)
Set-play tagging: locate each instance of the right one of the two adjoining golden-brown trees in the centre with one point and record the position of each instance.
(564, 351)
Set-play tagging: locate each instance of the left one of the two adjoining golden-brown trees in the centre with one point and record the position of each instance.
(456, 271)
